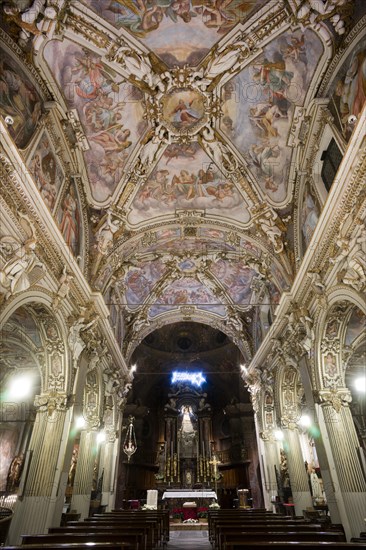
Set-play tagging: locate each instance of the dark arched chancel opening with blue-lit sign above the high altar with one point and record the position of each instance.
(191, 408)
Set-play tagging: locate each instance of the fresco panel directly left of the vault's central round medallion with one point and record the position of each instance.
(110, 110)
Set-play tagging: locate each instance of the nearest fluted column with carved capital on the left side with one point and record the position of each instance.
(35, 510)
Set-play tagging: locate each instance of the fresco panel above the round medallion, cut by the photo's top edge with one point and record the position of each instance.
(180, 32)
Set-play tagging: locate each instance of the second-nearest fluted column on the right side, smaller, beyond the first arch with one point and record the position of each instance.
(296, 469)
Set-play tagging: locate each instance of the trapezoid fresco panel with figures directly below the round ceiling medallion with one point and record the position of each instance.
(186, 178)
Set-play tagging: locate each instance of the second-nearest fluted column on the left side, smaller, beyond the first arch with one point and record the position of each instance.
(83, 482)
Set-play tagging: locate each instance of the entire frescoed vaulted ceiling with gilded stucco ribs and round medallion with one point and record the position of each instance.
(183, 120)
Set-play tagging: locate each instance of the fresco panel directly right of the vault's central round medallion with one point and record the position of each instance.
(258, 105)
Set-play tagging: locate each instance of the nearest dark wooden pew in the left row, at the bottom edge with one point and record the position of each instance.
(136, 539)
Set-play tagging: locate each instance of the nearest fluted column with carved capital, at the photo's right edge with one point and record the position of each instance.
(344, 444)
